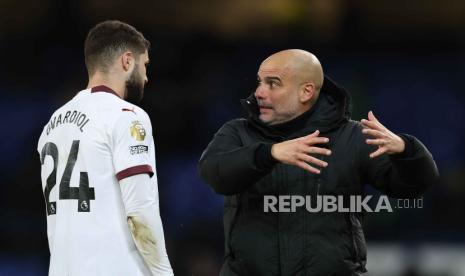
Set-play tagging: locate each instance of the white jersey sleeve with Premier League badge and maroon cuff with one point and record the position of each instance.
(131, 138)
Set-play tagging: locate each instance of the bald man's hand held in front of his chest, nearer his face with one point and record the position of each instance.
(297, 152)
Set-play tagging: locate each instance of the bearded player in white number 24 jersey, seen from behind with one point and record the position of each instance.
(98, 166)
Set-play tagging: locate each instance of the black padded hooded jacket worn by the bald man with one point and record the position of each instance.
(238, 164)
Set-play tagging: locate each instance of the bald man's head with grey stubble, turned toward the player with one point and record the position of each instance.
(289, 83)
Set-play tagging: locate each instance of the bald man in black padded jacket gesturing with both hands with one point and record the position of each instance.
(299, 145)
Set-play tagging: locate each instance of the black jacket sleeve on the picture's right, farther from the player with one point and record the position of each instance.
(404, 175)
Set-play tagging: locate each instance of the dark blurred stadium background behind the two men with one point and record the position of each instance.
(402, 59)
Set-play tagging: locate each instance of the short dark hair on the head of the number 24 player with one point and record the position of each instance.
(109, 39)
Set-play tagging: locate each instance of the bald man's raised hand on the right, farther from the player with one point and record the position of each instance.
(387, 141)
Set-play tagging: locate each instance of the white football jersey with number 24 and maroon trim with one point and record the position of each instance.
(89, 144)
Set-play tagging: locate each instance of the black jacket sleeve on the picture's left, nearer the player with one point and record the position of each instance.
(228, 166)
